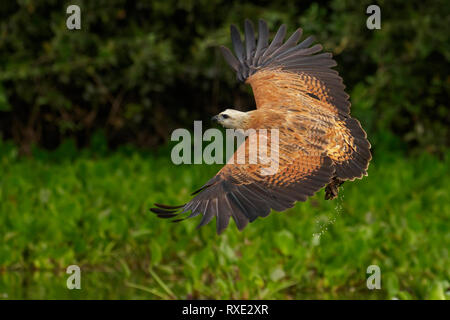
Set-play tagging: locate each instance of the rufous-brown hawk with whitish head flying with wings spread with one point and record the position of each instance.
(320, 144)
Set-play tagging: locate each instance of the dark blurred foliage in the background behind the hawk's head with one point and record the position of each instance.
(138, 69)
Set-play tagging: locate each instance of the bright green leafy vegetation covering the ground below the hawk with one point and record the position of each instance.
(91, 208)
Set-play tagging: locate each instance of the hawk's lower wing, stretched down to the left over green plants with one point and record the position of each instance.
(247, 191)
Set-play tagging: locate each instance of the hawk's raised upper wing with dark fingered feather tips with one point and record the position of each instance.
(286, 72)
